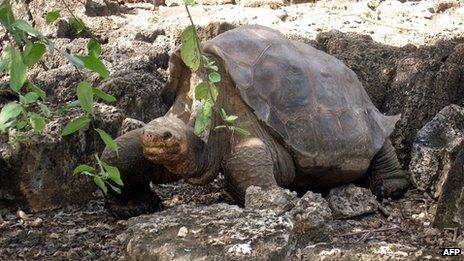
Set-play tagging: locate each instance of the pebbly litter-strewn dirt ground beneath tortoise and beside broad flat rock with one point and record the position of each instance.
(401, 230)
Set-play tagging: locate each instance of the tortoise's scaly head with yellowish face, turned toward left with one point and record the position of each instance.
(168, 141)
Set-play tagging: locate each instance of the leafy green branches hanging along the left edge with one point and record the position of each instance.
(27, 45)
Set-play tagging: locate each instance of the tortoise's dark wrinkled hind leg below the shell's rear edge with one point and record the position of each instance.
(386, 178)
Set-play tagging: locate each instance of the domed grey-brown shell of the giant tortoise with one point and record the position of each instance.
(312, 102)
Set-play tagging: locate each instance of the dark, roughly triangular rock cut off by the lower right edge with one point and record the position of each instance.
(450, 207)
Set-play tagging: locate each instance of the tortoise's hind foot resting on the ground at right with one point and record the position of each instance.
(393, 188)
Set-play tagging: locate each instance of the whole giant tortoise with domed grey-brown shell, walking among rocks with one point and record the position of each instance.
(312, 125)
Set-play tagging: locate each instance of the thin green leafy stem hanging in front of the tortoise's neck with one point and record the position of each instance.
(206, 91)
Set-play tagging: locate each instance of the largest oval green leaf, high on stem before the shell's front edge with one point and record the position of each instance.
(189, 50)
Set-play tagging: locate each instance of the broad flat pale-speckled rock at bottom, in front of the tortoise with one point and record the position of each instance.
(216, 232)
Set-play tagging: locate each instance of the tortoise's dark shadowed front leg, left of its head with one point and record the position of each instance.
(137, 172)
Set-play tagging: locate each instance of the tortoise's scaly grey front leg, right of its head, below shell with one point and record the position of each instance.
(250, 163)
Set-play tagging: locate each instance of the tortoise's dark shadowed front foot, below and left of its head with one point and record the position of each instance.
(127, 208)
